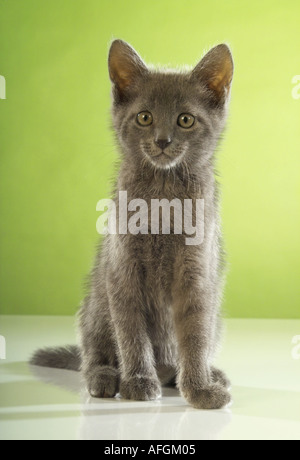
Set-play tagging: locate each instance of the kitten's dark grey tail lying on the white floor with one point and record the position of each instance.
(68, 358)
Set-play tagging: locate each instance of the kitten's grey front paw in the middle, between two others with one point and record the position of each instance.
(140, 388)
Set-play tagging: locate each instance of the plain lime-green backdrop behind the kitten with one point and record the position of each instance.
(57, 153)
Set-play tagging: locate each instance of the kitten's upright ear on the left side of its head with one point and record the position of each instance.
(125, 66)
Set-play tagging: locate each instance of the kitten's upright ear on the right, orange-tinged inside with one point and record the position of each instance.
(215, 72)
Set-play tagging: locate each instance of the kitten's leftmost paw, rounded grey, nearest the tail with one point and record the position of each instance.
(103, 382)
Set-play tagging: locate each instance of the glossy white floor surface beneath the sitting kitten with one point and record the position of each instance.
(258, 355)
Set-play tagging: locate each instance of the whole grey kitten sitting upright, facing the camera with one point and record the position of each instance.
(152, 313)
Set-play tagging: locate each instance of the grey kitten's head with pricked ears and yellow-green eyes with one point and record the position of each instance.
(164, 117)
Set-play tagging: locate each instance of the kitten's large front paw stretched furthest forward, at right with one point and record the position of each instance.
(210, 397)
